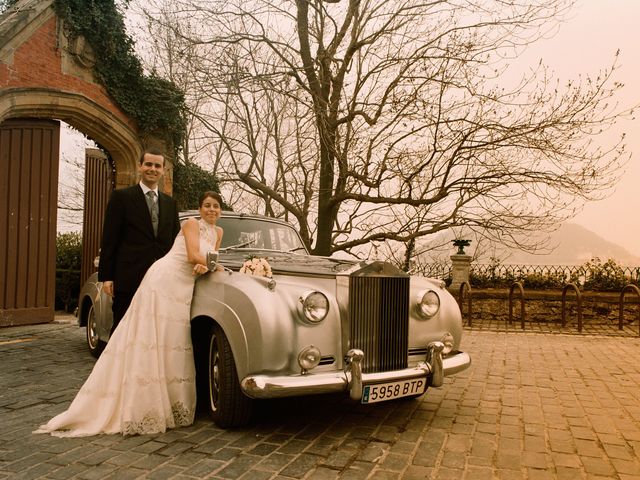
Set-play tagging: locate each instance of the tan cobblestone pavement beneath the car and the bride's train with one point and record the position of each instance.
(532, 406)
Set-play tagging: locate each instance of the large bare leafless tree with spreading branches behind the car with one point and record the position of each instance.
(391, 120)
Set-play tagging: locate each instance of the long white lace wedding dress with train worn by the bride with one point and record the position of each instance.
(144, 381)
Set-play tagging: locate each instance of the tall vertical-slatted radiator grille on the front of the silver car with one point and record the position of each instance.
(379, 313)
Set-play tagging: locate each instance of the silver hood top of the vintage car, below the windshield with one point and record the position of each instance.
(283, 262)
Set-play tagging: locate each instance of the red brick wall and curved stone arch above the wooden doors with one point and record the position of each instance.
(45, 74)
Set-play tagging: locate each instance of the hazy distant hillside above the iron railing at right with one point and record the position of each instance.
(574, 245)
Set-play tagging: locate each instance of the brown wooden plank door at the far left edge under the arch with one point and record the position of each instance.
(29, 154)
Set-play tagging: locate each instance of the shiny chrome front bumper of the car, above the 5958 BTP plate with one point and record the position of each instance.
(435, 368)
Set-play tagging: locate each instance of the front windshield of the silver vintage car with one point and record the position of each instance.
(260, 234)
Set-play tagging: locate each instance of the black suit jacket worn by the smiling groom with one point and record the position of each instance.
(129, 246)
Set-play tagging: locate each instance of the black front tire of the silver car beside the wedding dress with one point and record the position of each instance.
(228, 405)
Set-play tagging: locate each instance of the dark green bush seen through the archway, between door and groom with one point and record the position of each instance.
(68, 264)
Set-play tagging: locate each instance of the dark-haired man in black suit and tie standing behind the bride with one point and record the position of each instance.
(140, 225)
